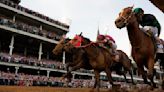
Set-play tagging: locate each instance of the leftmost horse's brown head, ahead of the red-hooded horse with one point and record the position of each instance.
(59, 48)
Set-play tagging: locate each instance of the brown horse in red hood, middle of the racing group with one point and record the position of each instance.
(99, 59)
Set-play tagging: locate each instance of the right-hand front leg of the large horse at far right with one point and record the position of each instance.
(151, 71)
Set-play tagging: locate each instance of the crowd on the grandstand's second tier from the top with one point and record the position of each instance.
(28, 28)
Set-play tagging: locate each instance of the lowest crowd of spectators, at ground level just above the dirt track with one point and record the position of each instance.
(21, 79)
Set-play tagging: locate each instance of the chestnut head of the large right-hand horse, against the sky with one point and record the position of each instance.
(126, 16)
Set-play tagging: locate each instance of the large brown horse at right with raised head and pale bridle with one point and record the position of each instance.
(143, 51)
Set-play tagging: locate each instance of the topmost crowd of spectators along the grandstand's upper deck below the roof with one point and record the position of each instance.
(26, 10)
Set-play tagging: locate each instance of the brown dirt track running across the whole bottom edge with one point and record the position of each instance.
(54, 89)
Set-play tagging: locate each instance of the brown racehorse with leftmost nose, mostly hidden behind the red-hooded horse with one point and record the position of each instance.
(81, 61)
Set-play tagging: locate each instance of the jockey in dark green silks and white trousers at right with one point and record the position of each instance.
(150, 25)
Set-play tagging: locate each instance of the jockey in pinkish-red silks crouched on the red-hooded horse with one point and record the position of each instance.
(108, 42)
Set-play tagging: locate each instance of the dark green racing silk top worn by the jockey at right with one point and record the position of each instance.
(150, 20)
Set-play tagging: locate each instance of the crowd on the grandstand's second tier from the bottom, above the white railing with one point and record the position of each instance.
(33, 61)
